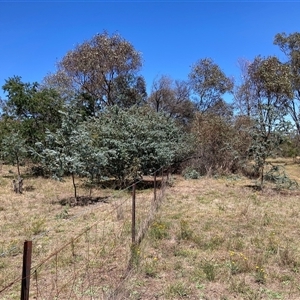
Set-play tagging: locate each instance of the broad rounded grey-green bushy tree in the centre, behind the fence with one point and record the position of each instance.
(139, 139)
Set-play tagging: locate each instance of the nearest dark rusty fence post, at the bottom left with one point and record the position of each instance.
(26, 270)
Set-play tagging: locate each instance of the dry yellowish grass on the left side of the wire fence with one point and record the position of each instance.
(95, 238)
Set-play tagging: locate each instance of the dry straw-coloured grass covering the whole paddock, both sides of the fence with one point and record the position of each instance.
(212, 239)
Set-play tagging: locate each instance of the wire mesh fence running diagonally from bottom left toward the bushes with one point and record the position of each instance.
(92, 263)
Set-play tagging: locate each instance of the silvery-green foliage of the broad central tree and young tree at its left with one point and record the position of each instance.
(122, 144)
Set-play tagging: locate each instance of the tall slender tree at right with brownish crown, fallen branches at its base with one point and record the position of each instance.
(272, 87)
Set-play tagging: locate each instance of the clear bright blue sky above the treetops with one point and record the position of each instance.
(171, 35)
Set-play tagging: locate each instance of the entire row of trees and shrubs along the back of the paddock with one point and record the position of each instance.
(93, 117)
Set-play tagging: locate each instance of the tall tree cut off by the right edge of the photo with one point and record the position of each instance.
(290, 45)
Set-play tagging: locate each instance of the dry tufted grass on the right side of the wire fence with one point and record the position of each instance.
(224, 240)
